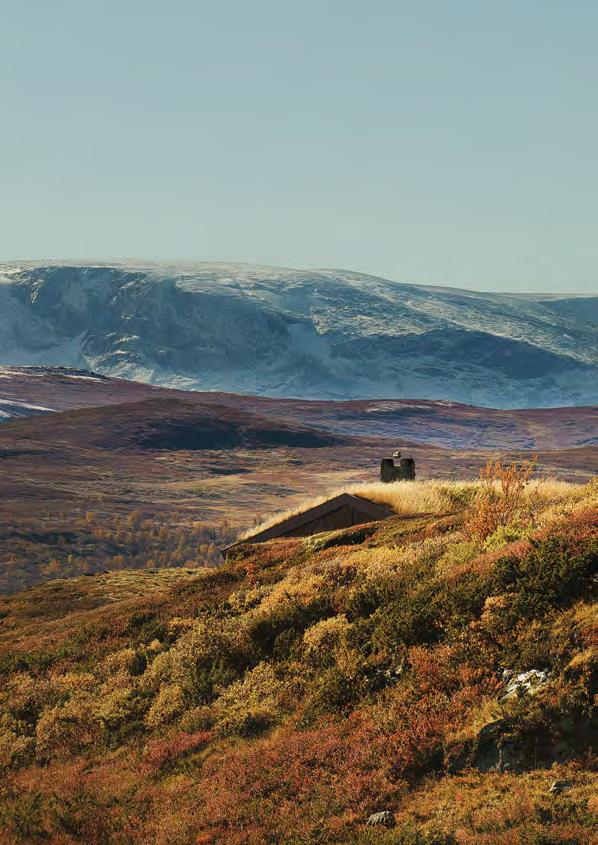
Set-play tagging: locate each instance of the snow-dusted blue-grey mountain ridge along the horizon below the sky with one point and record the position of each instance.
(324, 334)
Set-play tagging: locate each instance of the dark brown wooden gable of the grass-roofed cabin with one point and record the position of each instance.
(342, 511)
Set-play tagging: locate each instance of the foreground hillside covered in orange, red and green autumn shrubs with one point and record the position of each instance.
(439, 667)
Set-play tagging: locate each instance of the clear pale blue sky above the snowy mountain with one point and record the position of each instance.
(437, 142)
